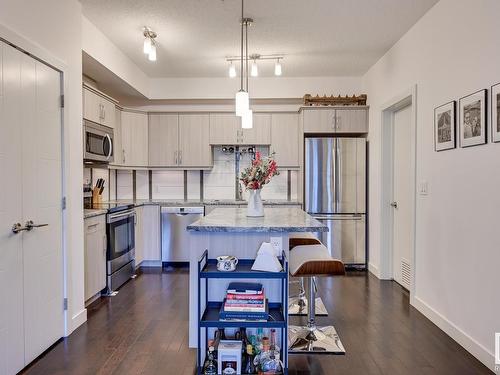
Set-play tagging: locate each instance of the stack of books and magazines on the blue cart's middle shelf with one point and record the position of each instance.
(245, 301)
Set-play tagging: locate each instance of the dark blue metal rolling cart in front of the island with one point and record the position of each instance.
(209, 317)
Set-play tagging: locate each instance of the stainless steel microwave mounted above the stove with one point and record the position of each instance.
(97, 143)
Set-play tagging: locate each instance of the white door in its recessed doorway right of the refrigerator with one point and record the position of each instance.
(398, 190)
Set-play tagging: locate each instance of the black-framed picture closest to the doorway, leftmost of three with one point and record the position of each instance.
(444, 126)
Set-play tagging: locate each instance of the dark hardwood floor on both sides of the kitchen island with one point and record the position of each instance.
(144, 330)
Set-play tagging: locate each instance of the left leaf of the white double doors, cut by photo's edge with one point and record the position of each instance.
(11, 251)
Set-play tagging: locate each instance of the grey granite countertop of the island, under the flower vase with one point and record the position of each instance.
(283, 219)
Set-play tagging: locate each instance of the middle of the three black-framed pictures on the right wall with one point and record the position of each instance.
(473, 119)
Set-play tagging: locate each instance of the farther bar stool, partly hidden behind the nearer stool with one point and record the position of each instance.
(297, 305)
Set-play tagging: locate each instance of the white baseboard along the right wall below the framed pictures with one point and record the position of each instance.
(462, 338)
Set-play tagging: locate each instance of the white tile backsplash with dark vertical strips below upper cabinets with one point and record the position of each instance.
(218, 183)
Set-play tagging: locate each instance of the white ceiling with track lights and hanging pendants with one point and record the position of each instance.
(318, 37)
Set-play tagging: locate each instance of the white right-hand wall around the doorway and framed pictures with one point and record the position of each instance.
(451, 52)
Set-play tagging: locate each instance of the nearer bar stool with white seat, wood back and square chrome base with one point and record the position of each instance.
(310, 261)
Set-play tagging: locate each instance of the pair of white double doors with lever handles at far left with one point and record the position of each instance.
(31, 158)
